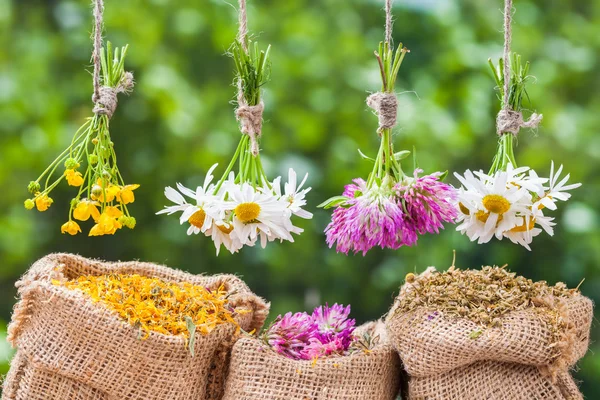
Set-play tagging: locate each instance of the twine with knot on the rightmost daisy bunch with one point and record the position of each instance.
(509, 120)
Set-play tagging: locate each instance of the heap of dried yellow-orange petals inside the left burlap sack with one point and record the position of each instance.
(155, 305)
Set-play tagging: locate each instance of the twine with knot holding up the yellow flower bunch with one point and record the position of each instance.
(105, 97)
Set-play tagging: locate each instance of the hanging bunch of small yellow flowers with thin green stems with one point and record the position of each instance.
(102, 195)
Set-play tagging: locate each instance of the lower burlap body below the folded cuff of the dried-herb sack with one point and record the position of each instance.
(491, 380)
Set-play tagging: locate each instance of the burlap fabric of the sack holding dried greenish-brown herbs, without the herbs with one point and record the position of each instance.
(526, 356)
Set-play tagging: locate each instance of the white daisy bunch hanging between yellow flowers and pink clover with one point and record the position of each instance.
(241, 209)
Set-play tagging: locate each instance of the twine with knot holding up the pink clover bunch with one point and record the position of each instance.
(383, 103)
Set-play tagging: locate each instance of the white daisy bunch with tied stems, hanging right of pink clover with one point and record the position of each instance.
(510, 201)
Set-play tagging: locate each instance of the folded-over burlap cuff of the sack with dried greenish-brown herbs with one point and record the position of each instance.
(430, 344)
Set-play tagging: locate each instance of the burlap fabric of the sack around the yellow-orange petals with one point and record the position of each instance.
(94, 353)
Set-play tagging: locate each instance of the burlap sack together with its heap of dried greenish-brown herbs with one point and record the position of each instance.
(442, 322)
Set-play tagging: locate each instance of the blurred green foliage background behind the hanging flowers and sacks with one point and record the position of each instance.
(178, 122)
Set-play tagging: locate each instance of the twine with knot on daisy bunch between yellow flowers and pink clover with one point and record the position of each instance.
(249, 116)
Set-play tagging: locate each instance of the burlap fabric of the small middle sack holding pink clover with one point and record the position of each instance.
(258, 373)
